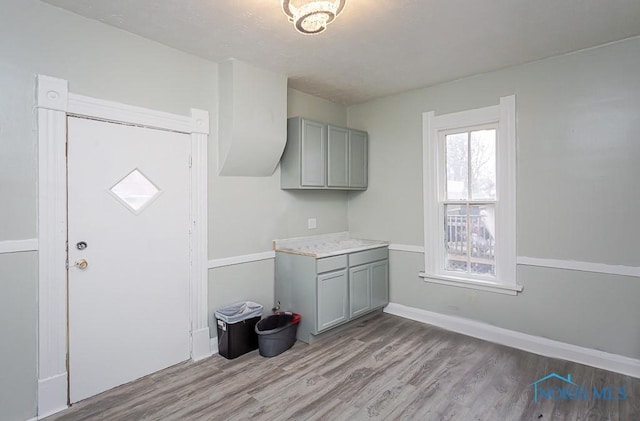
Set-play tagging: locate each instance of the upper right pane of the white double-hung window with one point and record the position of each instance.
(483, 164)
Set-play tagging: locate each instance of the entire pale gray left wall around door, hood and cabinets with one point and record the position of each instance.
(244, 214)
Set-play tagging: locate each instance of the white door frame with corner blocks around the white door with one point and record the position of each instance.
(54, 104)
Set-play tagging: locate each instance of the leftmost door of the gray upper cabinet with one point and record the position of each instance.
(312, 154)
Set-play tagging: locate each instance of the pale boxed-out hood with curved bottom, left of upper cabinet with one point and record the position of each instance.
(252, 125)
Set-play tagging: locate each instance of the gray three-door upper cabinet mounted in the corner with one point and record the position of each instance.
(323, 156)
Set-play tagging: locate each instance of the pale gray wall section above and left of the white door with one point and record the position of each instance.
(98, 61)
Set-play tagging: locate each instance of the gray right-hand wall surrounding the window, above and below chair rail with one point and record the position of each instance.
(578, 125)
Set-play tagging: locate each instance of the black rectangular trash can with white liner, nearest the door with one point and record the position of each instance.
(236, 328)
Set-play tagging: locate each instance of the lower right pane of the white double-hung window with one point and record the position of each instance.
(482, 223)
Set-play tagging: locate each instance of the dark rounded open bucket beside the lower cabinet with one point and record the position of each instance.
(277, 333)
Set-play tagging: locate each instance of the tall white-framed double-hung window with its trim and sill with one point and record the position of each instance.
(469, 198)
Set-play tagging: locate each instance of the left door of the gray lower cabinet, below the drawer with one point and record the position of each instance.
(333, 290)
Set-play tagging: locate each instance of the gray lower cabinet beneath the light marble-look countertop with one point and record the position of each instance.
(328, 292)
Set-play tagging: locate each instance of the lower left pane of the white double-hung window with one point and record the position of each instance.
(456, 237)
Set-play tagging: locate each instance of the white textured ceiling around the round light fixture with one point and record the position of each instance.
(376, 47)
